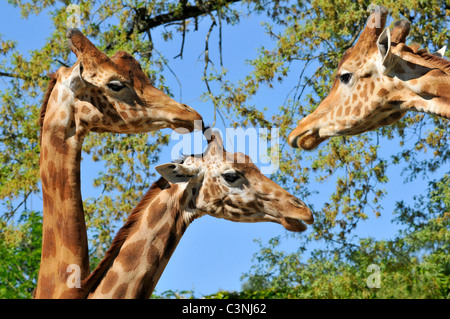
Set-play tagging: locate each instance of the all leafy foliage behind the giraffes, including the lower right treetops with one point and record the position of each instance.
(307, 40)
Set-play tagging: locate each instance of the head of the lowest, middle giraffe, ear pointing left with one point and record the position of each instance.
(228, 185)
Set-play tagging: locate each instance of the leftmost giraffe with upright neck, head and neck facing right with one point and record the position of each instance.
(98, 94)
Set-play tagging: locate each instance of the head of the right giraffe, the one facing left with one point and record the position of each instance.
(369, 89)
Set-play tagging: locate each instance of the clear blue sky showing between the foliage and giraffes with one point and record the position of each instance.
(213, 254)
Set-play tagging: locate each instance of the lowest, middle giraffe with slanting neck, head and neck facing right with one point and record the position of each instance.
(215, 183)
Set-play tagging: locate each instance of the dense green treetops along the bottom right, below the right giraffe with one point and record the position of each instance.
(414, 264)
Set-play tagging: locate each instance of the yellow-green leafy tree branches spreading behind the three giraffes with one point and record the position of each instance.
(308, 40)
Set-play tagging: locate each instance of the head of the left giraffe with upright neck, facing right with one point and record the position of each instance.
(115, 95)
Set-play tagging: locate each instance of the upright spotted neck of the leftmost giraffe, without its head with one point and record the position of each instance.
(64, 237)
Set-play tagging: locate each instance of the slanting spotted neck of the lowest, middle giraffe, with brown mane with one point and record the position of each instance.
(134, 264)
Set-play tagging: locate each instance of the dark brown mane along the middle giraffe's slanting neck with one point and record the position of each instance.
(92, 281)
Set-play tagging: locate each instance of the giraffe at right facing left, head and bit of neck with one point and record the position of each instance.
(377, 82)
